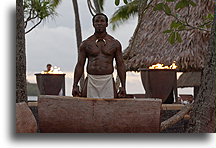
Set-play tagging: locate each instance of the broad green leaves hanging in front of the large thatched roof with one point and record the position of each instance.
(181, 22)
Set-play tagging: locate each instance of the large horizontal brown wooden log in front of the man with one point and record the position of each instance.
(59, 114)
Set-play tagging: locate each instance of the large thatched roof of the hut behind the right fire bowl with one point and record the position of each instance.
(149, 45)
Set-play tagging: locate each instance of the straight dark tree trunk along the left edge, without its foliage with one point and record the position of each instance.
(21, 90)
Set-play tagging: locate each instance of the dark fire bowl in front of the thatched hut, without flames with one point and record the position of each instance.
(159, 83)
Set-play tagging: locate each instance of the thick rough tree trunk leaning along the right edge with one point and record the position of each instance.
(203, 116)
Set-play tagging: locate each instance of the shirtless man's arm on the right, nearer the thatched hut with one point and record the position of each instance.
(120, 69)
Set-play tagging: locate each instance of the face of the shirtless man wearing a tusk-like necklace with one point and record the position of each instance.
(100, 23)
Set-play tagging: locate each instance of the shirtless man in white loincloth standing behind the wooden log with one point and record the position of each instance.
(100, 49)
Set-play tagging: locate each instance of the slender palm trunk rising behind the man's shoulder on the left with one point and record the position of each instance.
(78, 33)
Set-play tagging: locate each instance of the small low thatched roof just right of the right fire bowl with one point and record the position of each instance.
(189, 79)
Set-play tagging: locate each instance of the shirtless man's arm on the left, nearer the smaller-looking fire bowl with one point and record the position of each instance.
(79, 69)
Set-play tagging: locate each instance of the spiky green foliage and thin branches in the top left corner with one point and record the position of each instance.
(37, 10)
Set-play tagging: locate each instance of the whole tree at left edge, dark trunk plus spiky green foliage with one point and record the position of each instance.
(28, 10)
